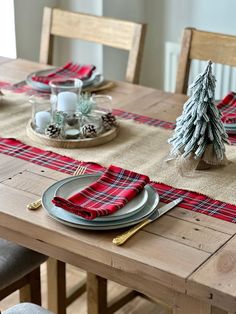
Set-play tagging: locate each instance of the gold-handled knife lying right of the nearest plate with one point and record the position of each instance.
(158, 212)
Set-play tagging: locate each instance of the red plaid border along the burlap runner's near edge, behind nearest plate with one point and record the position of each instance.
(192, 201)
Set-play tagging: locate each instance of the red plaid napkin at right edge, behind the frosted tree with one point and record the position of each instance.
(227, 107)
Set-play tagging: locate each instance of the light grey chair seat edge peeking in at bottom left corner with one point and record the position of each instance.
(26, 308)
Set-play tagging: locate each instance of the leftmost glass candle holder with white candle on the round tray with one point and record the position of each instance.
(41, 113)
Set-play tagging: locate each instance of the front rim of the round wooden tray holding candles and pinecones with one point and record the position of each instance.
(71, 143)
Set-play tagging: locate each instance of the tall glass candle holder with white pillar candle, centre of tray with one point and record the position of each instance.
(65, 95)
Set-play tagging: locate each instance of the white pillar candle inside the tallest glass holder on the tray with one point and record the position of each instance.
(67, 102)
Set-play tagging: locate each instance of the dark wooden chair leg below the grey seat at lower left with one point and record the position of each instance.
(32, 291)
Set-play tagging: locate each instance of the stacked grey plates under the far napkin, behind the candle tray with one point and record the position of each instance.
(95, 80)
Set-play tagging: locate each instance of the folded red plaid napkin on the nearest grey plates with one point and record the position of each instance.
(109, 193)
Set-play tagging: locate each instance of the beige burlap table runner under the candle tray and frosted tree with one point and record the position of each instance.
(138, 147)
